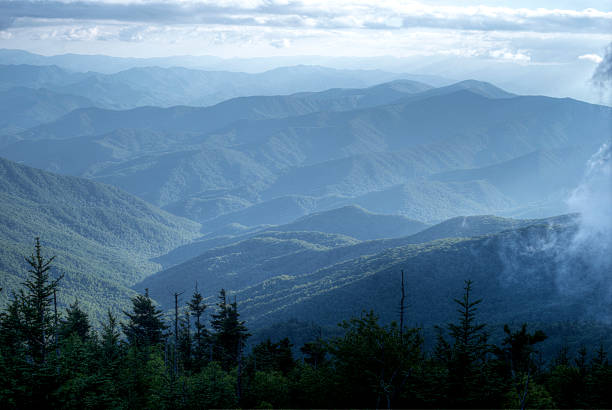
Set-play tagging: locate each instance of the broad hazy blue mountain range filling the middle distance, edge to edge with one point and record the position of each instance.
(428, 156)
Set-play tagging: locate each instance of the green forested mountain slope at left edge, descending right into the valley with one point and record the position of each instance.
(102, 237)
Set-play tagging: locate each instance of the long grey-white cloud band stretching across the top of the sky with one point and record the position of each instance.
(339, 14)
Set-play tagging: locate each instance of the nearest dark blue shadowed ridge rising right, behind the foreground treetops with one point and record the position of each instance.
(520, 278)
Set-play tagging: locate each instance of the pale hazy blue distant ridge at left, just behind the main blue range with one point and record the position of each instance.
(170, 86)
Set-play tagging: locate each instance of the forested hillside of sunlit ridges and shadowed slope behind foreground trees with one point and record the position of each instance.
(274, 281)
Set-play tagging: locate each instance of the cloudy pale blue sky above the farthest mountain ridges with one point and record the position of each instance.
(526, 32)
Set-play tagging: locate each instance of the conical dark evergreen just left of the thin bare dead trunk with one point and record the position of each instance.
(145, 326)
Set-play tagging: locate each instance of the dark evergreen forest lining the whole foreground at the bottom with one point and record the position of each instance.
(199, 359)
